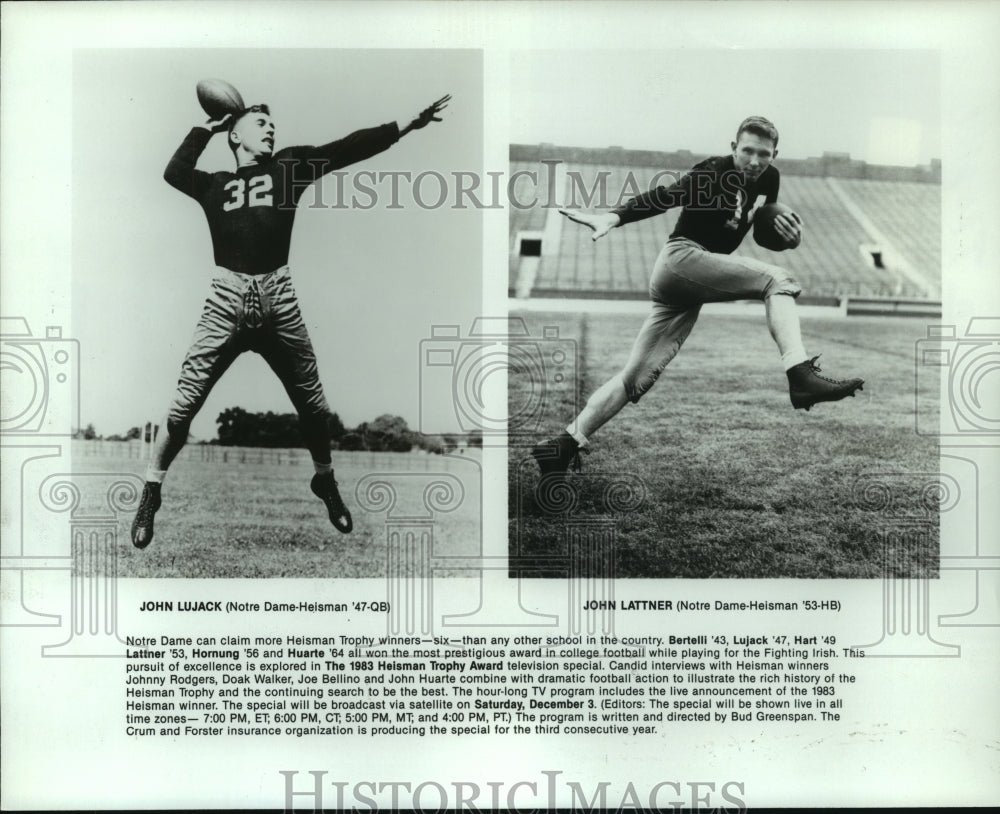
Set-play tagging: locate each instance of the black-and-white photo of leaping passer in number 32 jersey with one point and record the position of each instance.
(224, 366)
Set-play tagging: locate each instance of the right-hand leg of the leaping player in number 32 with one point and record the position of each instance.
(289, 352)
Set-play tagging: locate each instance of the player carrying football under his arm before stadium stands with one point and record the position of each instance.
(719, 197)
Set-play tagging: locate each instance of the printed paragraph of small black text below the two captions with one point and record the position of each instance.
(470, 686)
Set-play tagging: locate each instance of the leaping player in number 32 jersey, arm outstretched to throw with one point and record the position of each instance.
(252, 305)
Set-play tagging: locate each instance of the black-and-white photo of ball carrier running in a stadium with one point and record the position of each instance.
(742, 269)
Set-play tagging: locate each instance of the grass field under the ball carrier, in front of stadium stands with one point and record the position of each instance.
(737, 483)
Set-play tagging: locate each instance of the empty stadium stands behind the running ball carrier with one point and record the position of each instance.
(870, 232)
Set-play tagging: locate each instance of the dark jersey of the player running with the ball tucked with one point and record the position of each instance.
(717, 203)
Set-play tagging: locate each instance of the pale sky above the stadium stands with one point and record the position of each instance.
(881, 106)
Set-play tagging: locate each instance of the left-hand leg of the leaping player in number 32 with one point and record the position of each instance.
(213, 349)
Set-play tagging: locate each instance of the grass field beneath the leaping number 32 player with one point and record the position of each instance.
(232, 519)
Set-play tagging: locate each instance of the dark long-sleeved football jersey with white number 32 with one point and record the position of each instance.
(251, 211)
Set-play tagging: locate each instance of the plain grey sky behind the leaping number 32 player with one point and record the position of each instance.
(371, 283)
